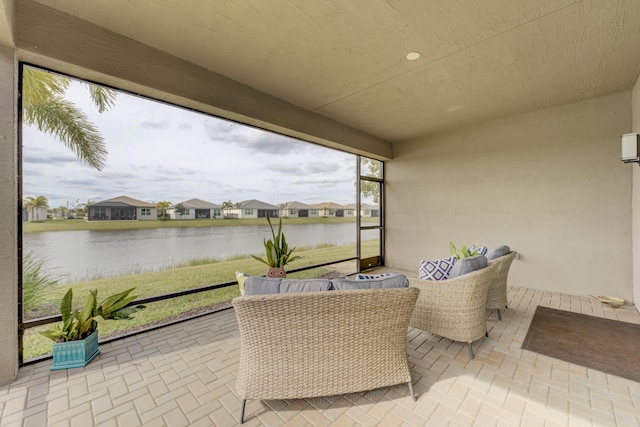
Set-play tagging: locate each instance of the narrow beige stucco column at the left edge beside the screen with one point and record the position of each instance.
(8, 217)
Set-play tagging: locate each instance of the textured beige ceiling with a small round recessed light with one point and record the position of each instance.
(480, 60)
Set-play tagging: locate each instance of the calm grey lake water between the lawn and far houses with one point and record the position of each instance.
(78, 255)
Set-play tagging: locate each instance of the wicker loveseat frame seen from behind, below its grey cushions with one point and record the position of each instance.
(312, 344)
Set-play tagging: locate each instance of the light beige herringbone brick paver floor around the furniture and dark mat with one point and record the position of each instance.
(184, 375)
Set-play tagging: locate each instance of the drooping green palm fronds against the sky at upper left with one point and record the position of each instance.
(45, 107)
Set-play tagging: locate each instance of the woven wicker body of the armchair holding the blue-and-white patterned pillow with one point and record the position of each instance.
(455, 308)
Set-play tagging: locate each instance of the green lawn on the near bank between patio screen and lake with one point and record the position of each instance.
(172, 280)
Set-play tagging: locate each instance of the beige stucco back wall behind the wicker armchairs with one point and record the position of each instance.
(549, 184)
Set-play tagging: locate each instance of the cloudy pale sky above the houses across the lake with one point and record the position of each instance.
(158, 152)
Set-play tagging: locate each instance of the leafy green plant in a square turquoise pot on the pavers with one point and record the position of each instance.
(76, 338)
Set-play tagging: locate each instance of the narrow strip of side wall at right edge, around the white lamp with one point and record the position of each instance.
(635, 119)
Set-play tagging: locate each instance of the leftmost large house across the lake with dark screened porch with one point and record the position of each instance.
(121, 208)
